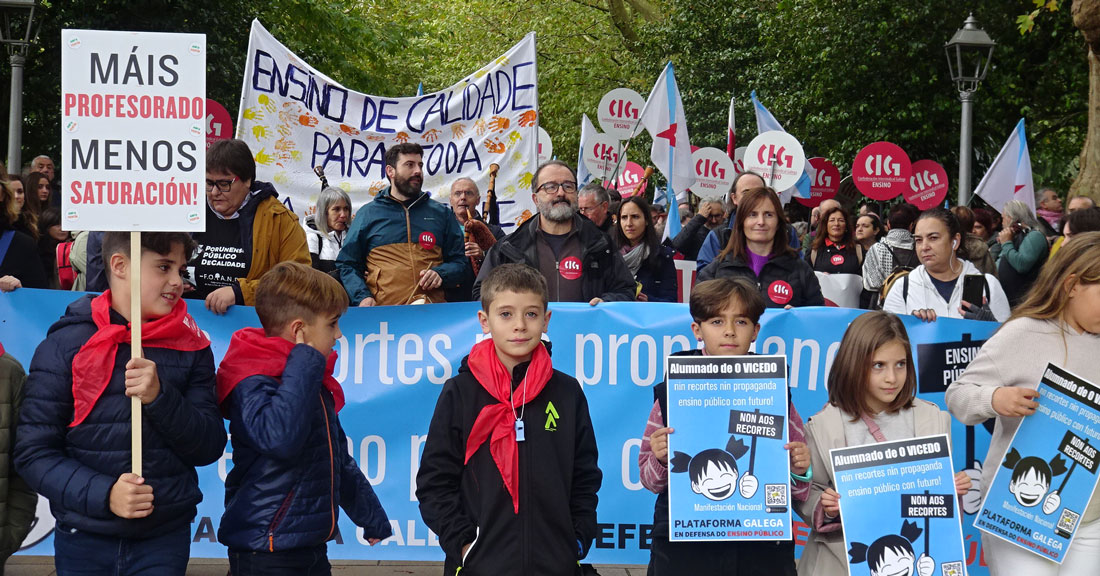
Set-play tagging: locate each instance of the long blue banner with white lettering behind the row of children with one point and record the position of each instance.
(394, 361)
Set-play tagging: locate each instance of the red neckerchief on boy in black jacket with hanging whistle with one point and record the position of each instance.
(499, 420)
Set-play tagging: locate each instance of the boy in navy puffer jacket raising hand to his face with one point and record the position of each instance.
(291, 462)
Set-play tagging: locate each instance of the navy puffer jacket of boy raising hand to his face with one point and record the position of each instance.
(291, 464)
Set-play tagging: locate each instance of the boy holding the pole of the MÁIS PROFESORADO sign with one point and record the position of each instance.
(73, 441)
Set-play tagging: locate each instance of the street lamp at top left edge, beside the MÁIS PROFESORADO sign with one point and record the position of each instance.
(17, 35)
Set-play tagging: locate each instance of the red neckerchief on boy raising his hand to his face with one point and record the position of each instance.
(254, 353)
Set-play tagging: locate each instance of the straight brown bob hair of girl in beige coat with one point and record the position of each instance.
(849, 380)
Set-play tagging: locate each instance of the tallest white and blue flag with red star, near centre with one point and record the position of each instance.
(664, 117)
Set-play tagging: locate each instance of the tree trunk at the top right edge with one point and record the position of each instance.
(1087, 19)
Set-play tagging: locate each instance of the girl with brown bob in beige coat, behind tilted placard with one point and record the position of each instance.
(872, 398)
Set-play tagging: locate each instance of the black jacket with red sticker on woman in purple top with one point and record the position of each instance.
(785, 280)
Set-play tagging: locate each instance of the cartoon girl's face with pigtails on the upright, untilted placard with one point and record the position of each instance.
(714, 472)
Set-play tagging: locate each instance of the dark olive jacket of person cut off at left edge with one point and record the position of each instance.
(17, 500)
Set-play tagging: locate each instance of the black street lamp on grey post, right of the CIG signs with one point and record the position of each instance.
(970, 53)
